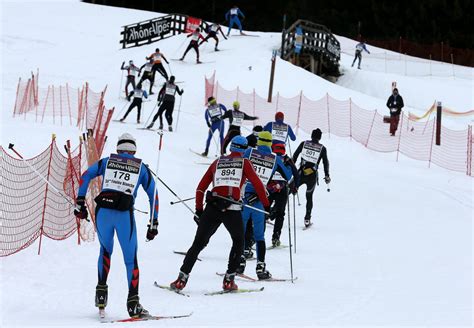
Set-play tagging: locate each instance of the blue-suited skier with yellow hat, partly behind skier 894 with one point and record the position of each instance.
(265, 164)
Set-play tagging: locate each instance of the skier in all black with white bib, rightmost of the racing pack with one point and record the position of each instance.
(312, 152)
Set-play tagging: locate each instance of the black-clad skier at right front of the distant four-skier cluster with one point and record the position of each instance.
(166, 97)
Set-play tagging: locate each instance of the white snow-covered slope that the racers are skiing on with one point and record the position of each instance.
(392, 243)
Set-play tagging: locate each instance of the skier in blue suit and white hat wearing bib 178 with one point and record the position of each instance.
(122, 174)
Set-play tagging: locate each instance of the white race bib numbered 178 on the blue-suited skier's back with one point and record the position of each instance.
(122, 174)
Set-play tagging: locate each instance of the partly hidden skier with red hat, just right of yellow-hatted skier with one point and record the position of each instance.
(279, 188)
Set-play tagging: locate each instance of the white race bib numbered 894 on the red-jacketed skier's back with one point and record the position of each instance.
(229, 172)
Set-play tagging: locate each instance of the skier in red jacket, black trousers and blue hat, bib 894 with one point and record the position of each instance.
(228, 174)
